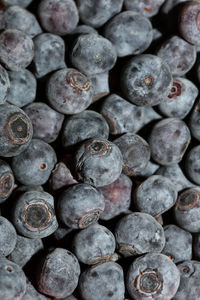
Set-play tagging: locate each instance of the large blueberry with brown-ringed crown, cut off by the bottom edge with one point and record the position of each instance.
(153, 276)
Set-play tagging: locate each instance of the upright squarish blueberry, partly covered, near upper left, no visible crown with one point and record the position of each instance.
(48, 45)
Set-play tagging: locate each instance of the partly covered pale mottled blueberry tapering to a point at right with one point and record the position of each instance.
(123, 116)
